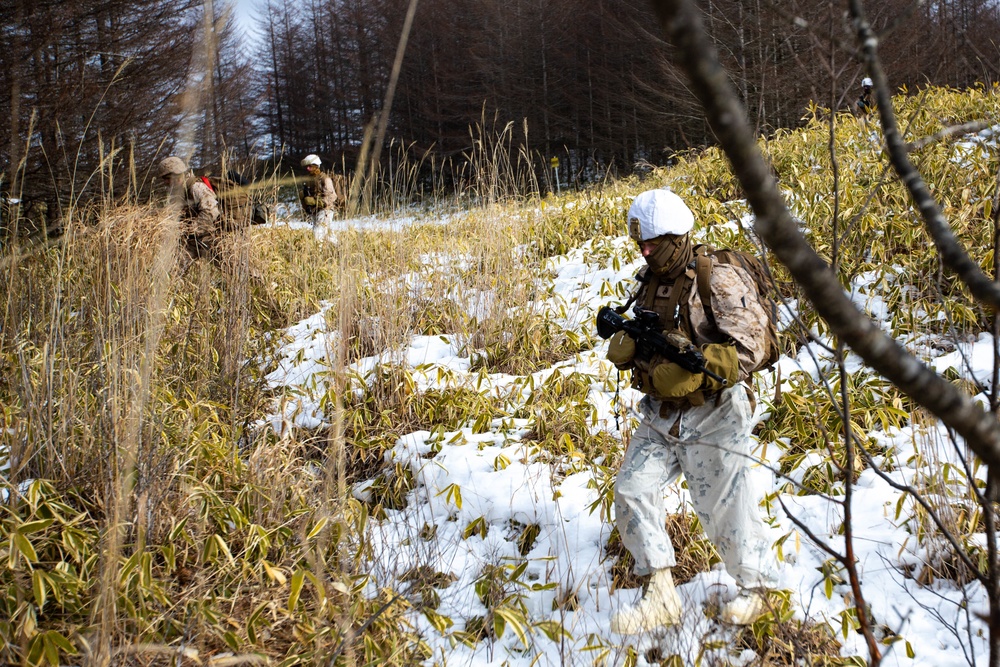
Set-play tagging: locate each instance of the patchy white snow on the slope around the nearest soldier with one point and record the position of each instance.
(475, 493)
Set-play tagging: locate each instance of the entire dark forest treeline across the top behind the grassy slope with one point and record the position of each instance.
(93, 88)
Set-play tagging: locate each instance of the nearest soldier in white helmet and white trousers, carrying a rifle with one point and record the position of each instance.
(692, 423)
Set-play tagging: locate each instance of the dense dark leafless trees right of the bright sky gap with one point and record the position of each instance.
(596, 83)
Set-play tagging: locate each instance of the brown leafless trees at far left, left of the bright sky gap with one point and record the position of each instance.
(89, 86)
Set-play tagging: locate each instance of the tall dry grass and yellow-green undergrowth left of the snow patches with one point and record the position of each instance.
(158, 517)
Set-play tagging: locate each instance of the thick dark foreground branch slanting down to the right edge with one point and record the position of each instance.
(682, 25)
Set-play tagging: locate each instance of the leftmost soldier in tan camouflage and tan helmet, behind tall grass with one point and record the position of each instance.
(199, 207)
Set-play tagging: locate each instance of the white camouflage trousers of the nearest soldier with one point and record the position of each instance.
(712, 449)
